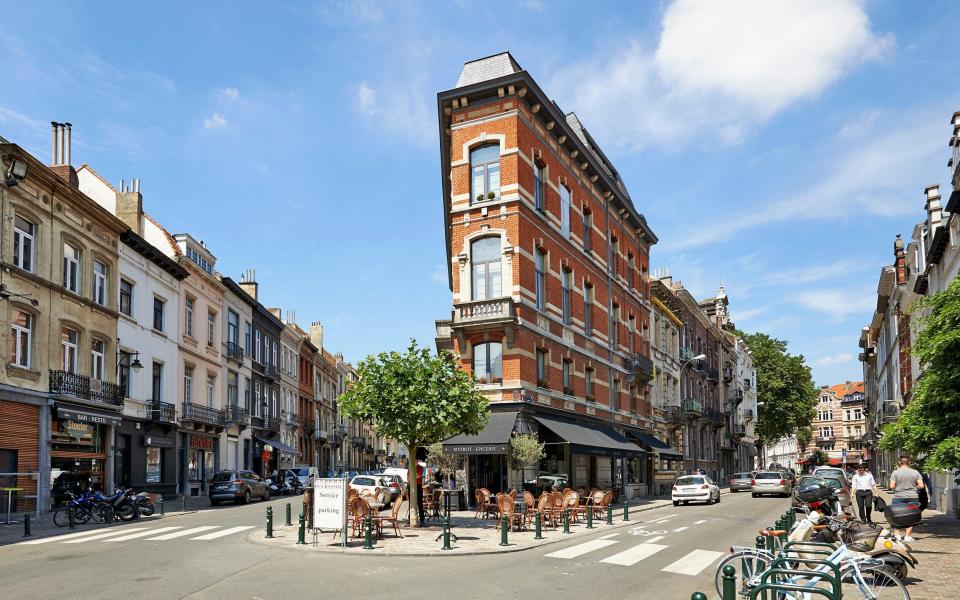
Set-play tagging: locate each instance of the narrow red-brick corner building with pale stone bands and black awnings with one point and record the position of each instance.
(548, 266)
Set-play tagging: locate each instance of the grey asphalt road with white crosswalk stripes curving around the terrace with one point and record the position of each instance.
(670, 553)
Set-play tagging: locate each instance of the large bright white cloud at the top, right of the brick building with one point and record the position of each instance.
(720, 67)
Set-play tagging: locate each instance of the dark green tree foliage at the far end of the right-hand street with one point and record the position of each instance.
(784, 386)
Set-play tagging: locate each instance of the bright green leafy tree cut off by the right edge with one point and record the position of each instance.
(929, 426)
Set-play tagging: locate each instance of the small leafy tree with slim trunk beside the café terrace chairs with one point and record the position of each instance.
(416, 398)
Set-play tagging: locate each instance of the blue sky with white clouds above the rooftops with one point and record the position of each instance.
(775, 148)
